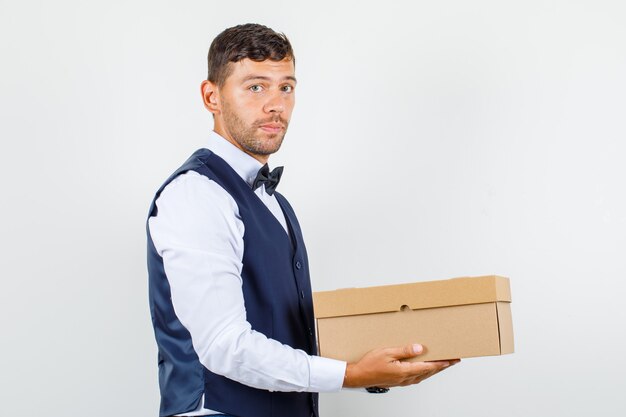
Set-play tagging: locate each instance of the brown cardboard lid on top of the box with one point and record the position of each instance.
(419, 295)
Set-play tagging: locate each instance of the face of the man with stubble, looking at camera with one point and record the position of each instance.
(254, 105)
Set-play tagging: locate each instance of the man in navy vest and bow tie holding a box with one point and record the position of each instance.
(230, 294)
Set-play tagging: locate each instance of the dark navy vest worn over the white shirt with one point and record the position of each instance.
(277, 296)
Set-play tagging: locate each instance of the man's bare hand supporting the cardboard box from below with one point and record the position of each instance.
(384, 368)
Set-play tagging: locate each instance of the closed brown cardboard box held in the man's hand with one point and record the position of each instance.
(454, 318)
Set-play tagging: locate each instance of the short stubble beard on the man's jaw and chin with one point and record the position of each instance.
(248, 137)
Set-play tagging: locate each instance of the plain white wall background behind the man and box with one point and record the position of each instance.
(431, 139)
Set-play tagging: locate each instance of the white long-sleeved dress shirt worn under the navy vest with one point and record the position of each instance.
(199, 234)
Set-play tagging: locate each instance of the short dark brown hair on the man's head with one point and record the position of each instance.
(253, 41)
